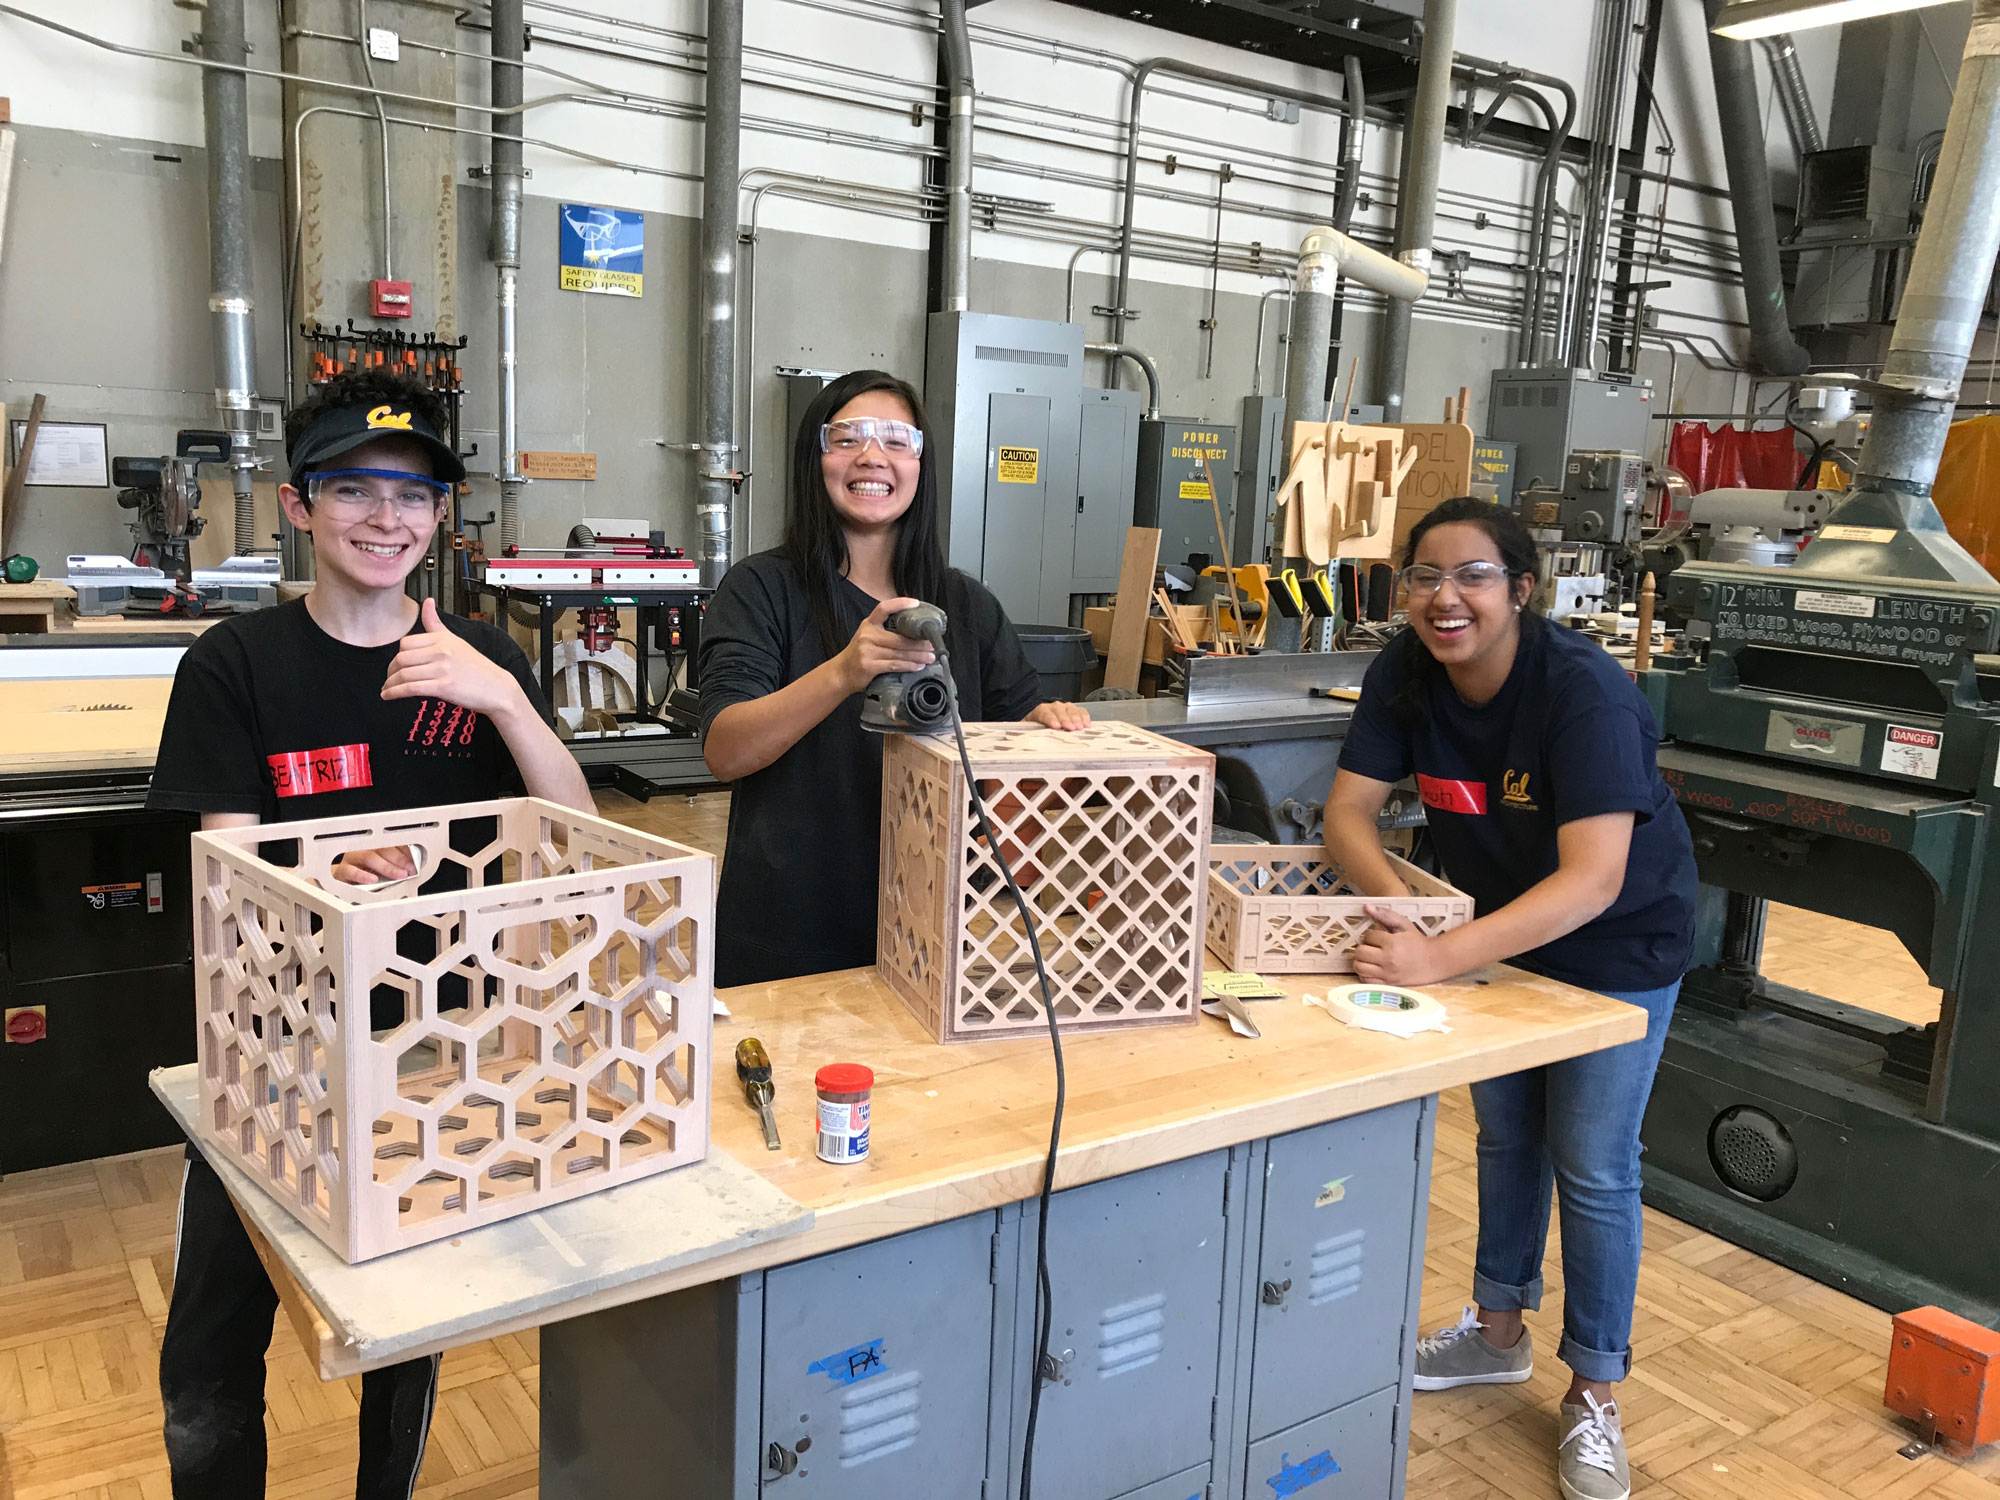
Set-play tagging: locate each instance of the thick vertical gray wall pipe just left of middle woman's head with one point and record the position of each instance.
(717, 333)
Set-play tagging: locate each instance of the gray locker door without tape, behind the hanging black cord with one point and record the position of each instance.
(1137, 1273)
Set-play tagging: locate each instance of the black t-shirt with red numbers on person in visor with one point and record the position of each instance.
(275, 717)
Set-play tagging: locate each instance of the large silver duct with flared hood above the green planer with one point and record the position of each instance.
(1917, 391)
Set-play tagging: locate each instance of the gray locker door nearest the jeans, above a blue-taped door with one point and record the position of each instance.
(1343, 1203)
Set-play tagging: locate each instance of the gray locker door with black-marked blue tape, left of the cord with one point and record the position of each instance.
(879, 1367)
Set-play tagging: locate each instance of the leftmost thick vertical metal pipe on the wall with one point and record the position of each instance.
(227, 131)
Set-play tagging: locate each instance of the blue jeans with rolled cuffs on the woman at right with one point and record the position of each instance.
(1575, 1127)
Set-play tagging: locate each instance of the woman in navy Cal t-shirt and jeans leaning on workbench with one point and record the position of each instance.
(1537, 761)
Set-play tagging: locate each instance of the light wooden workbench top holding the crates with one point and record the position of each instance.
(961, 1129)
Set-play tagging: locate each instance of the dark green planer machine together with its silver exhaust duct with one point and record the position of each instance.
(1833, 735)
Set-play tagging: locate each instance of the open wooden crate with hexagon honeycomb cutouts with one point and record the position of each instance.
(555, 1015)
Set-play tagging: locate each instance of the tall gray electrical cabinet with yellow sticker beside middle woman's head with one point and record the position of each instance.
(1005, 401)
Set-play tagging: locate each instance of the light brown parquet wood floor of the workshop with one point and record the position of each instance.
(1749, 1385)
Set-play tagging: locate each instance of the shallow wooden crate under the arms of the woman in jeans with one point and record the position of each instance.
(1281, 909)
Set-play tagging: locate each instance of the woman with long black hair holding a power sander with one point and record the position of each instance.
(791, 641)
